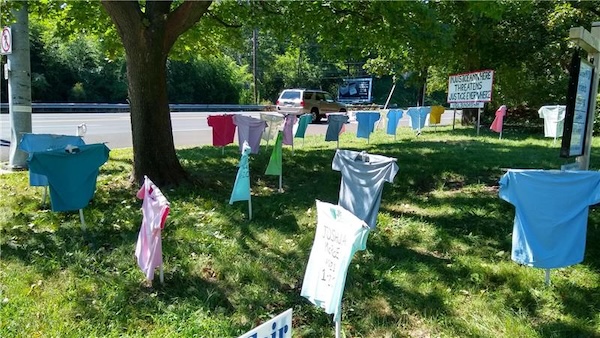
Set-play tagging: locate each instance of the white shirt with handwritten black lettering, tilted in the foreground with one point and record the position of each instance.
(338, 236)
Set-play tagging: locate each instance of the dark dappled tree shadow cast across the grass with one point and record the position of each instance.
(482, 224)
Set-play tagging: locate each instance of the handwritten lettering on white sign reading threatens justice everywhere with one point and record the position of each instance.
(471, 87)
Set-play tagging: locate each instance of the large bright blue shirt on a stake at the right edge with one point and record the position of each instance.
(551, 212)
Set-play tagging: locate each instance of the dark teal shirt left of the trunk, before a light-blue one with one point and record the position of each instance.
(71, 175)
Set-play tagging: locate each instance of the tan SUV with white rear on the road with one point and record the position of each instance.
(318, 103)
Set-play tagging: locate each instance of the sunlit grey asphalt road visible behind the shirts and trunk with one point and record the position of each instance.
(189, 129)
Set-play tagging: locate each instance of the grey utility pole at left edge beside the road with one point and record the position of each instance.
(19, 87)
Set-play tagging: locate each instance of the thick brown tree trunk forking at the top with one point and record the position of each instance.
(147, 38)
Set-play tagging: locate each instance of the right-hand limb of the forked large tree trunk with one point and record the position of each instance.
(183, 18)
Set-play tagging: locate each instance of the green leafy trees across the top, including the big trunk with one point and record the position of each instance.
(301, 43)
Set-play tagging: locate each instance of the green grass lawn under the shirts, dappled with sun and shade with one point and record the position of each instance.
(438, 264)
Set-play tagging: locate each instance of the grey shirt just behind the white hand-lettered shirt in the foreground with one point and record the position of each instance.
(363, 176)
